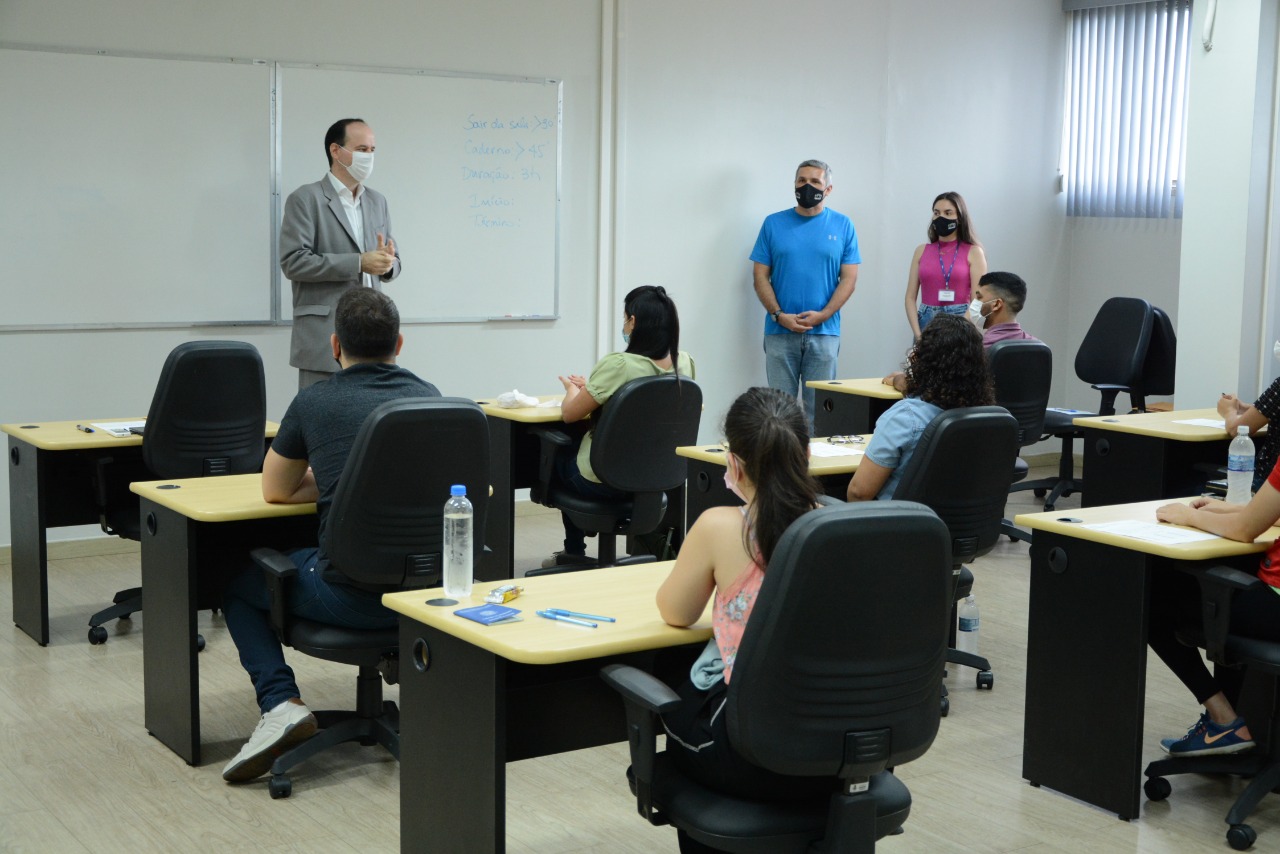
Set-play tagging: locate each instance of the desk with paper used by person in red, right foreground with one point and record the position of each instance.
(1087, 647)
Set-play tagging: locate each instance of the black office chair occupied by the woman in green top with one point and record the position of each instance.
(634, 450)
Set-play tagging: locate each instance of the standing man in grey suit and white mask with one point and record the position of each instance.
(336, 235)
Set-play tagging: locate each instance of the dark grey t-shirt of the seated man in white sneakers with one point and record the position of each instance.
(323, 421)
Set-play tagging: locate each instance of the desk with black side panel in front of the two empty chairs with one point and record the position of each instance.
(1146, 456)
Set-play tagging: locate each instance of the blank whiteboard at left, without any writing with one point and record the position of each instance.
(138, 191)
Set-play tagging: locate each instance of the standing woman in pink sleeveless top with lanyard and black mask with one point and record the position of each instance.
(945, 271)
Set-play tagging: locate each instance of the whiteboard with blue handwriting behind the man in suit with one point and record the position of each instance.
(470, 170)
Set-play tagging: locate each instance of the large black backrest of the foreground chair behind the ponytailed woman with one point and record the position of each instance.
(838, 673)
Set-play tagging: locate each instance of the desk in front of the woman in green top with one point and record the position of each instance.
(514, 453)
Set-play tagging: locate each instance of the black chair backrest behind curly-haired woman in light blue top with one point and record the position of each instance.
(962, 469)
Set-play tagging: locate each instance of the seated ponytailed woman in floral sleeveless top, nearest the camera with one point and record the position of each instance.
(726, 554)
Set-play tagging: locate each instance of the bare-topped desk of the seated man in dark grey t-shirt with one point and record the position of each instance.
(198, 533)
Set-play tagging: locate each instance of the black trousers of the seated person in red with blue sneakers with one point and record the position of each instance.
(1176, 602)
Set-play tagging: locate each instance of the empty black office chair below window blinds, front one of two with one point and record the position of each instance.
(1112, 359)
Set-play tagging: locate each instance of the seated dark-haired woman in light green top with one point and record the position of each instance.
(651, 330)
